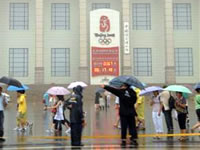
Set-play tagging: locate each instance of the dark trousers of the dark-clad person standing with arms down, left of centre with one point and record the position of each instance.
(76, 131)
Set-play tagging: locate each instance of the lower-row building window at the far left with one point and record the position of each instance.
(18, 62)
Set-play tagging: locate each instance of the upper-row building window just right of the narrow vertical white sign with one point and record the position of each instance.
(141, 16)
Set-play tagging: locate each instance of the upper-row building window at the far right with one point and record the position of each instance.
(182, 16)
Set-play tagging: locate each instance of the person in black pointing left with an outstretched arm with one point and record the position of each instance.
(127, 99)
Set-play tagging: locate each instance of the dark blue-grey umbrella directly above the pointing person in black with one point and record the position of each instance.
(125, 79)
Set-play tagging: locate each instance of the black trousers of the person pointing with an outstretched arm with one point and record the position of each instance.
(128, 122)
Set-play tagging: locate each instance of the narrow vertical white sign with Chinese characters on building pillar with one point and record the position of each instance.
(126, 38)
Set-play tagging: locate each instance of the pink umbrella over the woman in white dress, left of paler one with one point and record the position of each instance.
(58, 90)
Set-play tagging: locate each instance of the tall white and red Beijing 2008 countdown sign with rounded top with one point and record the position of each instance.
(104, 45)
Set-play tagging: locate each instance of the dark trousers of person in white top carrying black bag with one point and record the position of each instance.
(168, 120)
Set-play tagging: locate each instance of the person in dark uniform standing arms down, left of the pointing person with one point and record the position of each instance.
(75, 105)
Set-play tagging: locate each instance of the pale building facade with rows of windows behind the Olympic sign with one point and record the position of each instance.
(48, 41)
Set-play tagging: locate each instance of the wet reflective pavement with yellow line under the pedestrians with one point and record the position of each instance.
(98, 134)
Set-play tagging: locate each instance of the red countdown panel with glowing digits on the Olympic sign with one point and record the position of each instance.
(105, 61)
